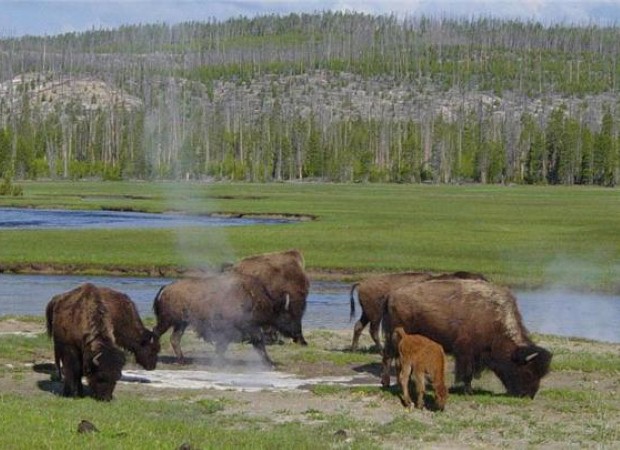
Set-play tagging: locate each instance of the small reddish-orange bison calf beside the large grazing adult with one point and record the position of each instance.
(420, 356)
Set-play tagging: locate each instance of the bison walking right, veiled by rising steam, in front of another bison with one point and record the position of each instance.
(222, 308)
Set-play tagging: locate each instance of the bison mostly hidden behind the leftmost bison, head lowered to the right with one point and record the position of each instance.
(129, 330)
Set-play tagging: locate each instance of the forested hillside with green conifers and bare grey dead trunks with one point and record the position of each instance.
(329, 96)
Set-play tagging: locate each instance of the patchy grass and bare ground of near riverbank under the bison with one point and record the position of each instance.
(341, 406)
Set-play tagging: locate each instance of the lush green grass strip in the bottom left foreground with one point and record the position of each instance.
(134, 422)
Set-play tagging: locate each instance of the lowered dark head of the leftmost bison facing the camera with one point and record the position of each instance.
(103, 370)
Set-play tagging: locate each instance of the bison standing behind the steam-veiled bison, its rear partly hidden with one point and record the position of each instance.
(285, 280)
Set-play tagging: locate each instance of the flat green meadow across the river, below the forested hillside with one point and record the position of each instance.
(516, 235)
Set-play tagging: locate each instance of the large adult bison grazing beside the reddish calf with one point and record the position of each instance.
(476, 321)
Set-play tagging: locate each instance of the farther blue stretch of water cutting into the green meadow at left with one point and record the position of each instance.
(18, 218)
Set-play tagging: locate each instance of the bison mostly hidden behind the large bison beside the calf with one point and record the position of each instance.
(372, 293)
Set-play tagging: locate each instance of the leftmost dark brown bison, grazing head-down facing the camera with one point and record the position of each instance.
(81, 327)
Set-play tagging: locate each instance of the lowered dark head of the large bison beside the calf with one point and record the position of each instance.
(521, 374)
